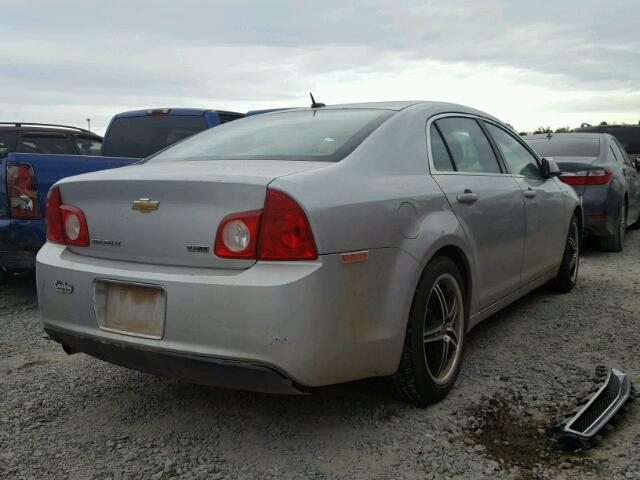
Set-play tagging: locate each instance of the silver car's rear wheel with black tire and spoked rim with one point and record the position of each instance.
(439, 313)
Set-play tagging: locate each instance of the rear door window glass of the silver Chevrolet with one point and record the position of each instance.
(468, 145)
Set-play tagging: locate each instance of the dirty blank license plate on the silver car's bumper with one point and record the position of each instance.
(137, 310)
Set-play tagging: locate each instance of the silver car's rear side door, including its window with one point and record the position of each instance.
(487, 202)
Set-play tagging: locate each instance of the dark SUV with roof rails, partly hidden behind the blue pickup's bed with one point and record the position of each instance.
(24, 137)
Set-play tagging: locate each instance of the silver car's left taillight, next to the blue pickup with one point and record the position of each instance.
(66, 224)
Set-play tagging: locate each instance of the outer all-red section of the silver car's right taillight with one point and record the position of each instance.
(285, 233)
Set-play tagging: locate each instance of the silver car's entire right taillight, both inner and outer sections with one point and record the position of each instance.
(280, 232)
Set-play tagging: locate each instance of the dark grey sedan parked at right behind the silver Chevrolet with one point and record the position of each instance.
(608, 182)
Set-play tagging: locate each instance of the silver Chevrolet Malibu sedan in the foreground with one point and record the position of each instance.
(308, 247)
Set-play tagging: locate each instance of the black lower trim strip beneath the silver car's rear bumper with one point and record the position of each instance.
(196, 369)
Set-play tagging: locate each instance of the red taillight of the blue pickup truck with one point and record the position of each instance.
(22, 190)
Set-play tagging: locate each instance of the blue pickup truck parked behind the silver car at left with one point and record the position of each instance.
(25, 178)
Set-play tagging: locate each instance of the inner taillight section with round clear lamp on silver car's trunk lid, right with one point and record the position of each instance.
(237, 235)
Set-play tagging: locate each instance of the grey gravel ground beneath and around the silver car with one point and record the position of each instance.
(76, 417)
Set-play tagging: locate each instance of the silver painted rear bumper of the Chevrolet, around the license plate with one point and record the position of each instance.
(317, 323)
